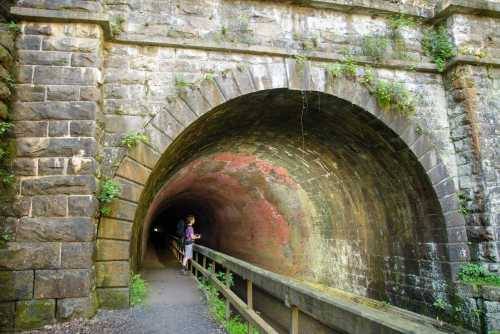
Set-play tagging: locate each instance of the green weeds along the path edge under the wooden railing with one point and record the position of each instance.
(217, 306)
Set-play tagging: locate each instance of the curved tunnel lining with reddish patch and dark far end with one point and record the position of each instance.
(307, 185)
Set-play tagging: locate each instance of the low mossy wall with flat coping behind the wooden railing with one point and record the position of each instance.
(342, 310)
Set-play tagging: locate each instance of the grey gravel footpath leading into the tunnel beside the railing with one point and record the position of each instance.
(175, 306)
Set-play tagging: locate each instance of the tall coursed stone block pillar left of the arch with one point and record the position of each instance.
(48, 267)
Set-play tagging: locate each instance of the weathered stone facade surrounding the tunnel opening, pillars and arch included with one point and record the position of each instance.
(81, 88)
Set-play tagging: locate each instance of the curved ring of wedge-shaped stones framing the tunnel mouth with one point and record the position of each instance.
(117, 234)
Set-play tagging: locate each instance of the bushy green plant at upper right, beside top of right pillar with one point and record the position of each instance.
(437, 44)
